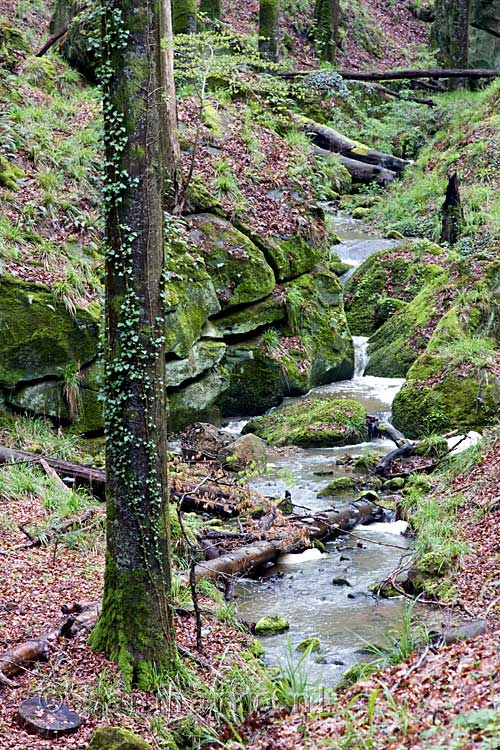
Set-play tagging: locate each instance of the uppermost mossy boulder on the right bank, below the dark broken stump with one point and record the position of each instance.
(386, 281)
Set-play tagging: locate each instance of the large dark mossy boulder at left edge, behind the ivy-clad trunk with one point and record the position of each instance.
(39, 337)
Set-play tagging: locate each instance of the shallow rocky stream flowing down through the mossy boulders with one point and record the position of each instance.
(343, 617)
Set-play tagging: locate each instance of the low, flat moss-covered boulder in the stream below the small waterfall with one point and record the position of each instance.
(314, 422)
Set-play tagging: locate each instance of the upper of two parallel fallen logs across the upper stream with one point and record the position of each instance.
(331, 140)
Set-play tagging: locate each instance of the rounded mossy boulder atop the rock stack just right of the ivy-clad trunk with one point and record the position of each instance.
(237, 267)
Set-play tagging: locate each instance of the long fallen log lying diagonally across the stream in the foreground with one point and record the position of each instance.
(318, 526)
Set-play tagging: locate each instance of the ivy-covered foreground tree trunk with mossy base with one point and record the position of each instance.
(136, 624)
